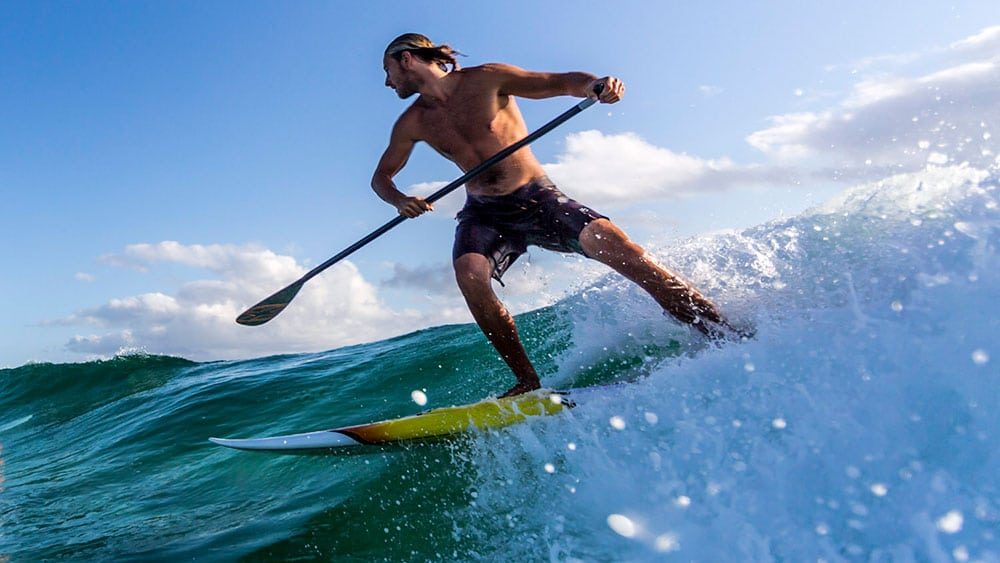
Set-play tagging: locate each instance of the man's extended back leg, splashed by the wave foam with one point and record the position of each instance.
(603, 241)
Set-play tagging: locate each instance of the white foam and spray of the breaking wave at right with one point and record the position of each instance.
(868, 422)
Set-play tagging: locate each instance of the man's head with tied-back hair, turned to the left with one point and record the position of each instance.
(410, 58)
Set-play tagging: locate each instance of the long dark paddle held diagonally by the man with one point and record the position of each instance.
(275, 304)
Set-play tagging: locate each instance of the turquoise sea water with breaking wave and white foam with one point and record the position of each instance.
(861, 423)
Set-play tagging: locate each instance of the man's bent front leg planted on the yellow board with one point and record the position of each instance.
(472, 271)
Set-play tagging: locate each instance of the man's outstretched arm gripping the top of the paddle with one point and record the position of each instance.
(515, 81)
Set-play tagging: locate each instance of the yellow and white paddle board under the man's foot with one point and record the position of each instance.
(444, 421)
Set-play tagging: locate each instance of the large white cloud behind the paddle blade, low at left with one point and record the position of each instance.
(337, 308)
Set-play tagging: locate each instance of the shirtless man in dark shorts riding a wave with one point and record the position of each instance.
(468, 115)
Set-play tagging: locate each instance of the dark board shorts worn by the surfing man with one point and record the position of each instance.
(501, 227)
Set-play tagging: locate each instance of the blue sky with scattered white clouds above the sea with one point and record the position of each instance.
(164, 165)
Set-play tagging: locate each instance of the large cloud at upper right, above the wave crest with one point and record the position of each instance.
(901, 122)
